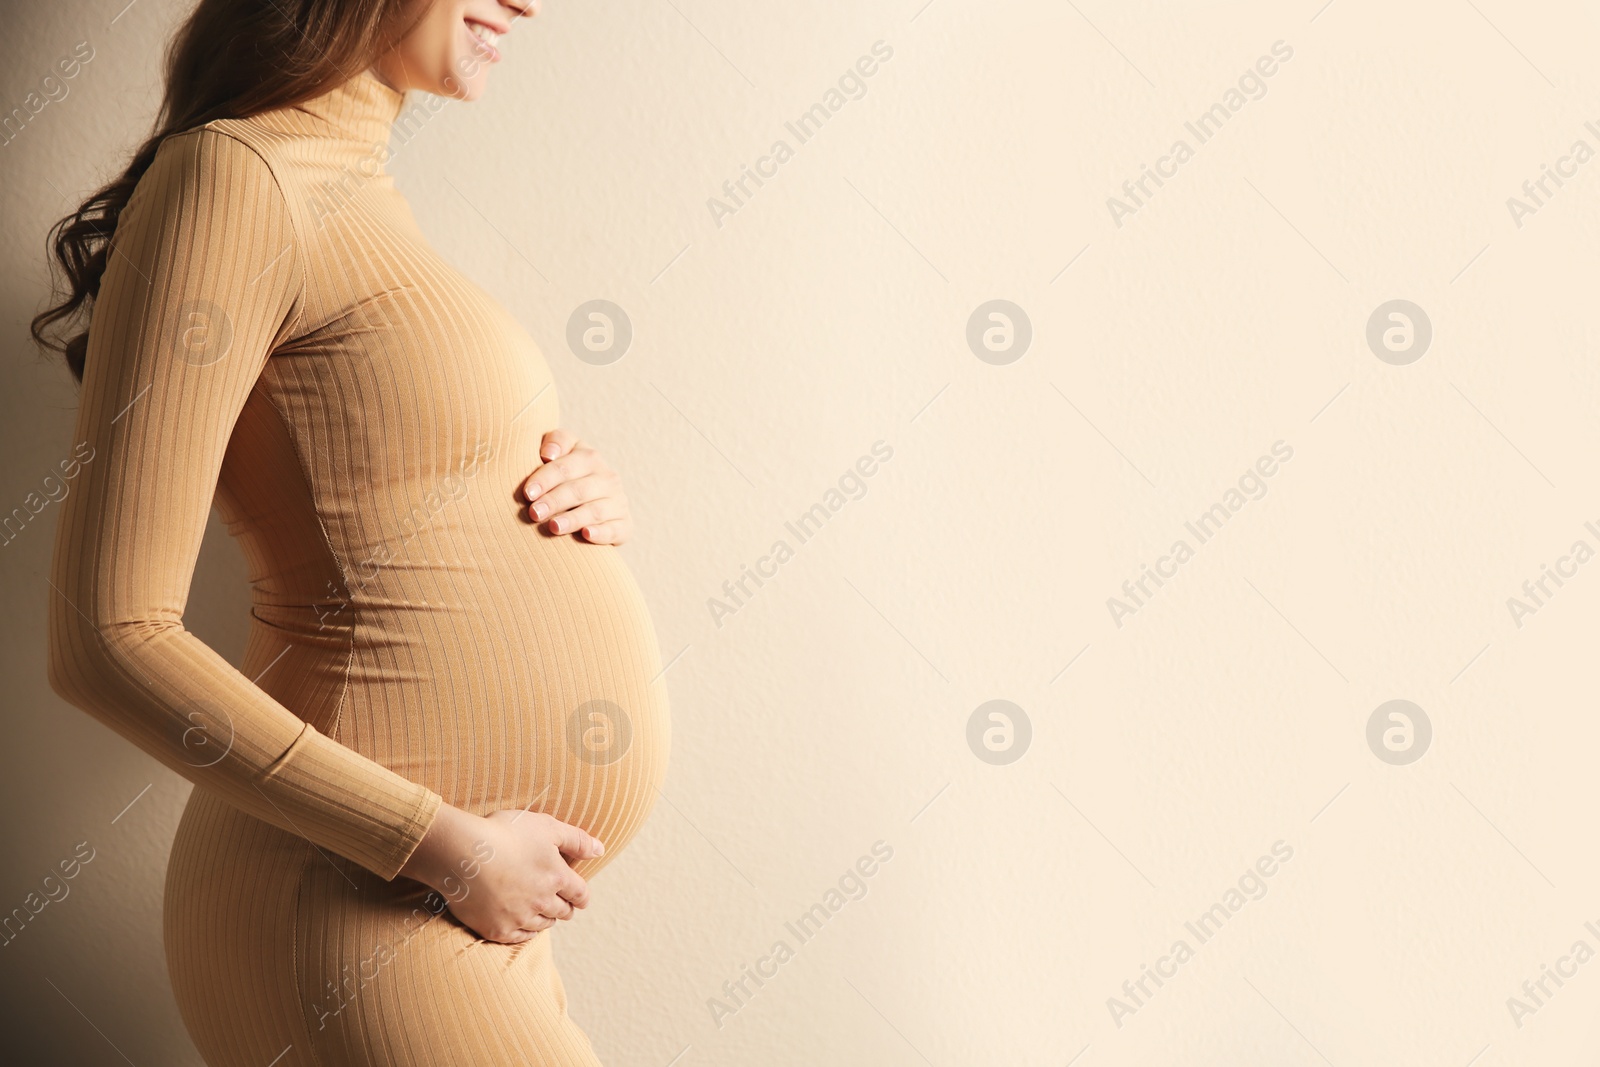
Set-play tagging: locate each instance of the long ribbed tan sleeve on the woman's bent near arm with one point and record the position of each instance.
(204, 282)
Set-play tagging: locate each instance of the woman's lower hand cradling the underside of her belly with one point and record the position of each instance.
(505, 876)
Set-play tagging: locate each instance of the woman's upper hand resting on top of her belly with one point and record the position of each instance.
(577, 492)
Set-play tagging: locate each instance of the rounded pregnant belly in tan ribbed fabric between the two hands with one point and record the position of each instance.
(526, 677)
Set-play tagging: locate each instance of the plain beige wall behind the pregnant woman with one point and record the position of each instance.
(1166, 756)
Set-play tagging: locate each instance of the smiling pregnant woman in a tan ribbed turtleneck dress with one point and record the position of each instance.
(450, 713)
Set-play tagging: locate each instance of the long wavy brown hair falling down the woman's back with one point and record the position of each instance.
(231, 60)
